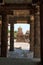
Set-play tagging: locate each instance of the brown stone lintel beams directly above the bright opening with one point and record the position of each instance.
(19, 18)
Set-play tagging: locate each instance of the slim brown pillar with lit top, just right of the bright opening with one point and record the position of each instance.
(32, 33)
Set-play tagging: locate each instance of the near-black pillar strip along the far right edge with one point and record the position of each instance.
(41, 29)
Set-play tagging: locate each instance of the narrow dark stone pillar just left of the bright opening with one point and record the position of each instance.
(12, 37)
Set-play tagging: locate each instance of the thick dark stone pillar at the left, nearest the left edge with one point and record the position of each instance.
(4, 35)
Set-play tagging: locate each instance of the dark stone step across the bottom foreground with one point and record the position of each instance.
(12, 61)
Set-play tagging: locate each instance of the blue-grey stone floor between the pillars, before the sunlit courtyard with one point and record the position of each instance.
(19, 53)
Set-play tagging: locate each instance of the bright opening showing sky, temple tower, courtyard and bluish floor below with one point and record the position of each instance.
(22, 40)
